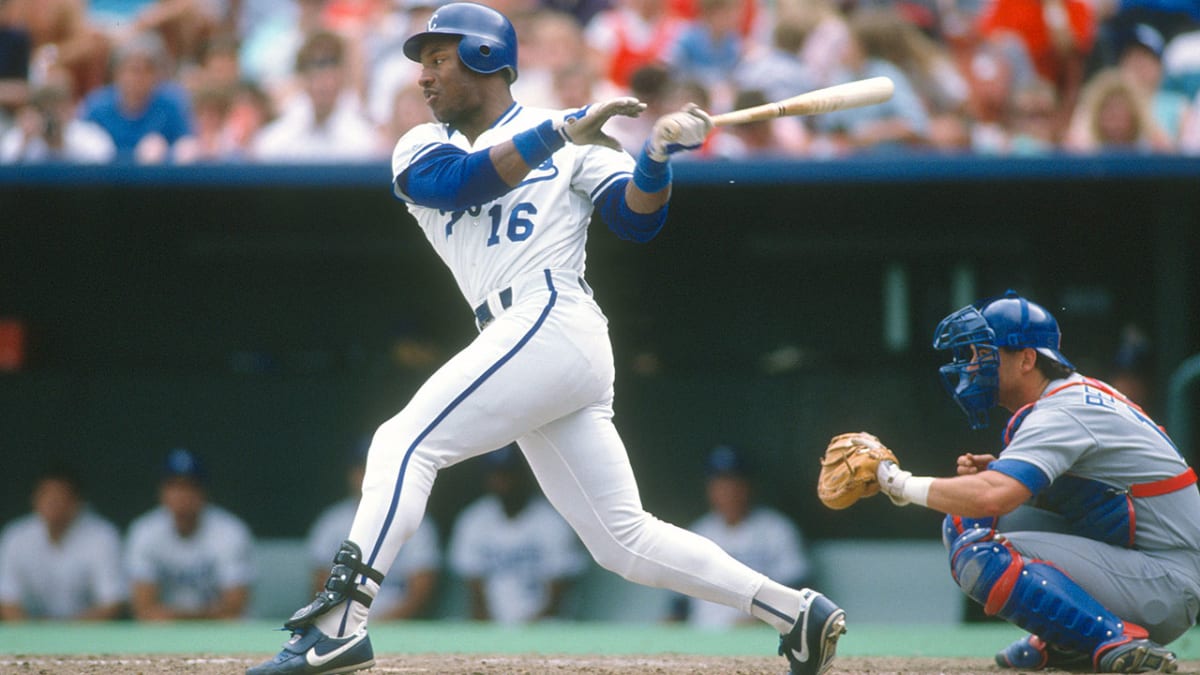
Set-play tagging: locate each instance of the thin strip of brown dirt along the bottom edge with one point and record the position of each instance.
(503, 665)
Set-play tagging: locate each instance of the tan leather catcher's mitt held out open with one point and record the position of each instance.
(848, 469)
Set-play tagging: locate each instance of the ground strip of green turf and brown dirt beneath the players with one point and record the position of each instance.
(454, 648)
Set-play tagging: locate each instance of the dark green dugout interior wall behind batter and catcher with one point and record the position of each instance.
(257, 324)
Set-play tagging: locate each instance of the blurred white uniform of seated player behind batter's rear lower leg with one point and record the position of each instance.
(766, 541)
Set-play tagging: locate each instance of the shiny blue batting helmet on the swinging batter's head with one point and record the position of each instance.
(489, 41)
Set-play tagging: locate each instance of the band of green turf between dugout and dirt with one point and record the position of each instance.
(446, 637)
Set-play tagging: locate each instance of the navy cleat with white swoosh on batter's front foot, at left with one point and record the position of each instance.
(313, 653)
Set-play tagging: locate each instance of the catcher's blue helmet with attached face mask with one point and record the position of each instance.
(1009, 321)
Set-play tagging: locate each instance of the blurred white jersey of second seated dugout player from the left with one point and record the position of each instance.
(193, 572)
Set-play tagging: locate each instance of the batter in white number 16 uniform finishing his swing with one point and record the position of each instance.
(505, 195)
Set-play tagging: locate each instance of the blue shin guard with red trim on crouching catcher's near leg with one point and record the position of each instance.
(1034, 595)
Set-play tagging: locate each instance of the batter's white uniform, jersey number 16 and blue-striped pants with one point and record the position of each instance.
(542, 373)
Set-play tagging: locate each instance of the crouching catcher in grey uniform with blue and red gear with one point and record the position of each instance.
(1090, 516)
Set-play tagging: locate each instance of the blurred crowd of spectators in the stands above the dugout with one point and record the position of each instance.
(326, 81)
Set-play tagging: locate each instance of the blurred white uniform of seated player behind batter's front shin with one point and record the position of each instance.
(422, 553)
